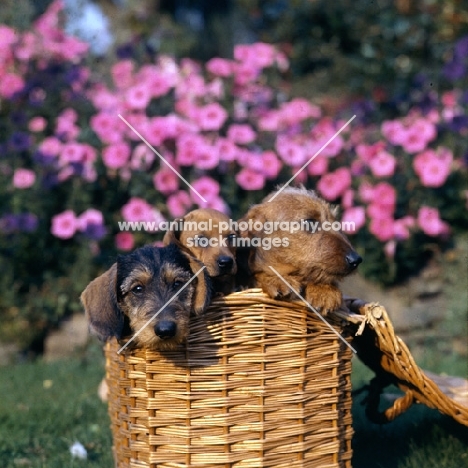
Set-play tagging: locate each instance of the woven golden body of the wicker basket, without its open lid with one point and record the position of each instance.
(259, 383)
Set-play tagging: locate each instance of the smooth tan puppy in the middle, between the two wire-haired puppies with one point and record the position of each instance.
(207, 235)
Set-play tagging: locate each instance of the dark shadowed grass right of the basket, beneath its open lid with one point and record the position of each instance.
(419, 438)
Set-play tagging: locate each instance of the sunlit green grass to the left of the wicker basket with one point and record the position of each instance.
(38, 424)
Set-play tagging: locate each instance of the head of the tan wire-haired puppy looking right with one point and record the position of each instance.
(310, 251)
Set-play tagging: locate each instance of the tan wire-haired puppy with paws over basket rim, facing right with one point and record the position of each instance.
(311, 262)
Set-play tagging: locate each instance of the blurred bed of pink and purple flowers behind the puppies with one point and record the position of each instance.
(71, 166)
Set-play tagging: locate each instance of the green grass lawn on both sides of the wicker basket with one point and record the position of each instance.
(44, 408)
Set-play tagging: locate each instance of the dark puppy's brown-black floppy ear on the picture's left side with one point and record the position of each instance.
(99, 300)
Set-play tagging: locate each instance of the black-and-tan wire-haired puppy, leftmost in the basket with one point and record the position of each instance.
(126, 297)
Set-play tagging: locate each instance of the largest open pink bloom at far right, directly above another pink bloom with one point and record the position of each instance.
(433, 168)
